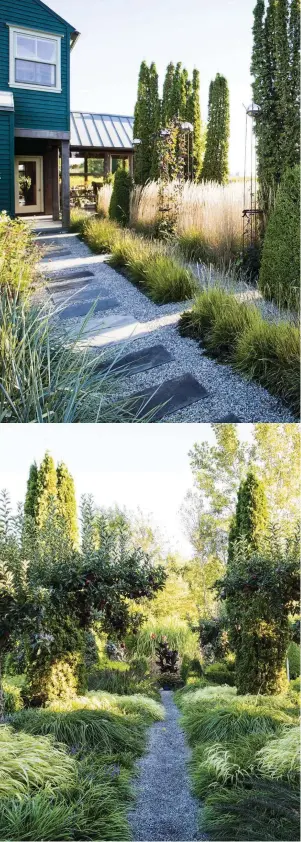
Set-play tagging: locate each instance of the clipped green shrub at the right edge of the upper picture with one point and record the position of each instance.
(280, 266)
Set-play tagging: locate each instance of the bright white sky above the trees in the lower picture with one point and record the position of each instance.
(143, 466)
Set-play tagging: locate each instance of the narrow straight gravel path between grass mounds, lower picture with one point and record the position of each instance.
(165, 808)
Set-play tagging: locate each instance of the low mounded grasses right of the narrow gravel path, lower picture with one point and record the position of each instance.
(245, 762)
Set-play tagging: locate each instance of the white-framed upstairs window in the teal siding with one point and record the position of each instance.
(35, 60)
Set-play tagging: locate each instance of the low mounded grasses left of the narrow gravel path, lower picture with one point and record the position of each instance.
(65, 771)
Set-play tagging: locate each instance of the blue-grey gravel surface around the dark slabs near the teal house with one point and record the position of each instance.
(228, 394)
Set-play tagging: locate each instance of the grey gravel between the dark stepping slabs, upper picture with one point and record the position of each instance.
(228, 391)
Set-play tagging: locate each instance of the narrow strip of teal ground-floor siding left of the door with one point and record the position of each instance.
(7, 198)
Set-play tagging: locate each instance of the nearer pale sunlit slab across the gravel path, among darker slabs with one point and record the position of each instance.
(100, 332)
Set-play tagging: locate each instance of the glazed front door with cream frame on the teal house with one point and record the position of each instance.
(29, 184)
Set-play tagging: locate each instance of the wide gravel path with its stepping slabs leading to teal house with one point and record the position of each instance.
(163, 369)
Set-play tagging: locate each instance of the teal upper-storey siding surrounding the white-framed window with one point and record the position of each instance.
(43, 110)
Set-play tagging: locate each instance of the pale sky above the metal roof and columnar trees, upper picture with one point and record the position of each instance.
(116, 35)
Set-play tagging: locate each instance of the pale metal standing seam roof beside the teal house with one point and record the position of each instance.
(101, 131)
